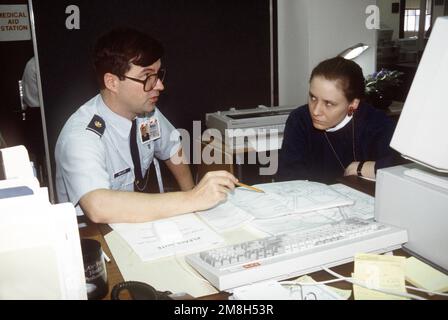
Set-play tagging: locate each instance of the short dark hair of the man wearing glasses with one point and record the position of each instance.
(115, 50)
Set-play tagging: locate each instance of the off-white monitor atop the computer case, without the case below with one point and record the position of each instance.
(421, 133)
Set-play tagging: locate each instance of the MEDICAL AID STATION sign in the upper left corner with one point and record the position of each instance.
(14, 23)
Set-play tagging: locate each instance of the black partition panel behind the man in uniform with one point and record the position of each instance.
(217, 54)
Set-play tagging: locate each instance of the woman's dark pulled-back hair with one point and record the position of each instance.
(347, 73)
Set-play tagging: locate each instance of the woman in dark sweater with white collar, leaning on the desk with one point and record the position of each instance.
(336, 134)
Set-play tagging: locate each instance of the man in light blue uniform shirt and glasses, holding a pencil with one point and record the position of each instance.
(101, 155)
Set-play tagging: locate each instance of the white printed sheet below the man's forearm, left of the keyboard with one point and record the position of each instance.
(143, 239)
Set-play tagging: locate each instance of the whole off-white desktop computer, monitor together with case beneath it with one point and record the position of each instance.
(415, 196)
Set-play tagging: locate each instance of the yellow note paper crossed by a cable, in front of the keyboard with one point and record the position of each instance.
(379, 271)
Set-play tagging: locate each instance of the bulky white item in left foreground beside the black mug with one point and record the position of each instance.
(40, 249)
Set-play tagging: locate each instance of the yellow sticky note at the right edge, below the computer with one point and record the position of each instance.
(424, 276)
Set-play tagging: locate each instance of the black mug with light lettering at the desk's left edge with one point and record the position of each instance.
(94, 269)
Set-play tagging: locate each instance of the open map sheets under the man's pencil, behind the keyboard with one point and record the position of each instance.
(282, 208)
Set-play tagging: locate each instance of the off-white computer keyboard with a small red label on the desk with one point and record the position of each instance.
(289, 255)
